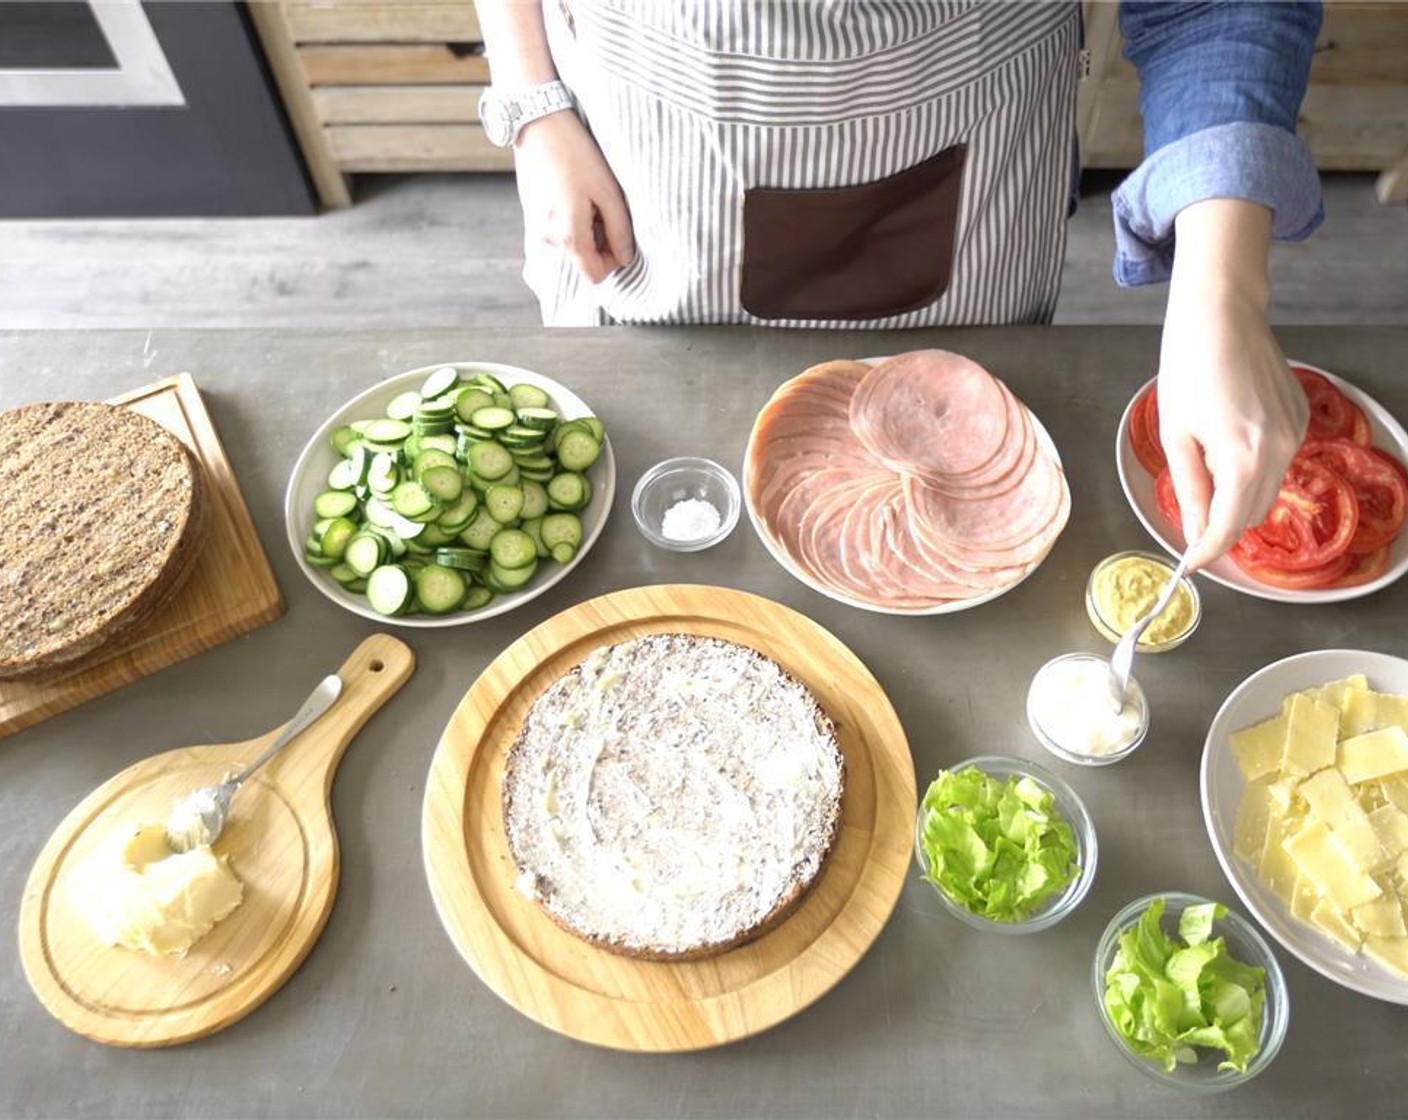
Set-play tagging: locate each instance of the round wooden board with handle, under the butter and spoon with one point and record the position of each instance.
(279, 840)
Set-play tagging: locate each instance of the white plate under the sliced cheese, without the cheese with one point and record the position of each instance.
(1257, 699)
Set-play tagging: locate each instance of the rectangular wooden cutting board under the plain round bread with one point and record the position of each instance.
(230, 592)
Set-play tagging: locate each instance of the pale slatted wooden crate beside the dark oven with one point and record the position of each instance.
(381, 87)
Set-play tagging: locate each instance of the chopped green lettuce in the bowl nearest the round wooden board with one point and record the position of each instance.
(999, 849)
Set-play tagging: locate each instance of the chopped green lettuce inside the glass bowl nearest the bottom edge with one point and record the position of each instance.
(1171, 998)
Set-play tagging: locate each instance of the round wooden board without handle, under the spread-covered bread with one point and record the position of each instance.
(598, 997)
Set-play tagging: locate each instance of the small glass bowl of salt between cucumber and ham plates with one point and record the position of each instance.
(686, 505)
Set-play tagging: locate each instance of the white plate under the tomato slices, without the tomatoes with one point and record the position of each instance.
(1138, 485)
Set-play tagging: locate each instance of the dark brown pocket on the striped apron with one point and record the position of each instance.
(865, 251)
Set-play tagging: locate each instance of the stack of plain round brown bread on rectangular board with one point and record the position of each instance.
(99, 528)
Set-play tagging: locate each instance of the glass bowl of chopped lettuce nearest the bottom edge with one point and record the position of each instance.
(1190, 993)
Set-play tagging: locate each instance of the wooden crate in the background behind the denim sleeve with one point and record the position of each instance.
(1355, 116)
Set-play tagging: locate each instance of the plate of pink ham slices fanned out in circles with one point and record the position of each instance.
(914, 484)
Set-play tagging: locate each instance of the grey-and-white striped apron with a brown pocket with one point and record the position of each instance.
(710, 112)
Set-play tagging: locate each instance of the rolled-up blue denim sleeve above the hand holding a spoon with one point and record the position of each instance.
(1220, 89)
